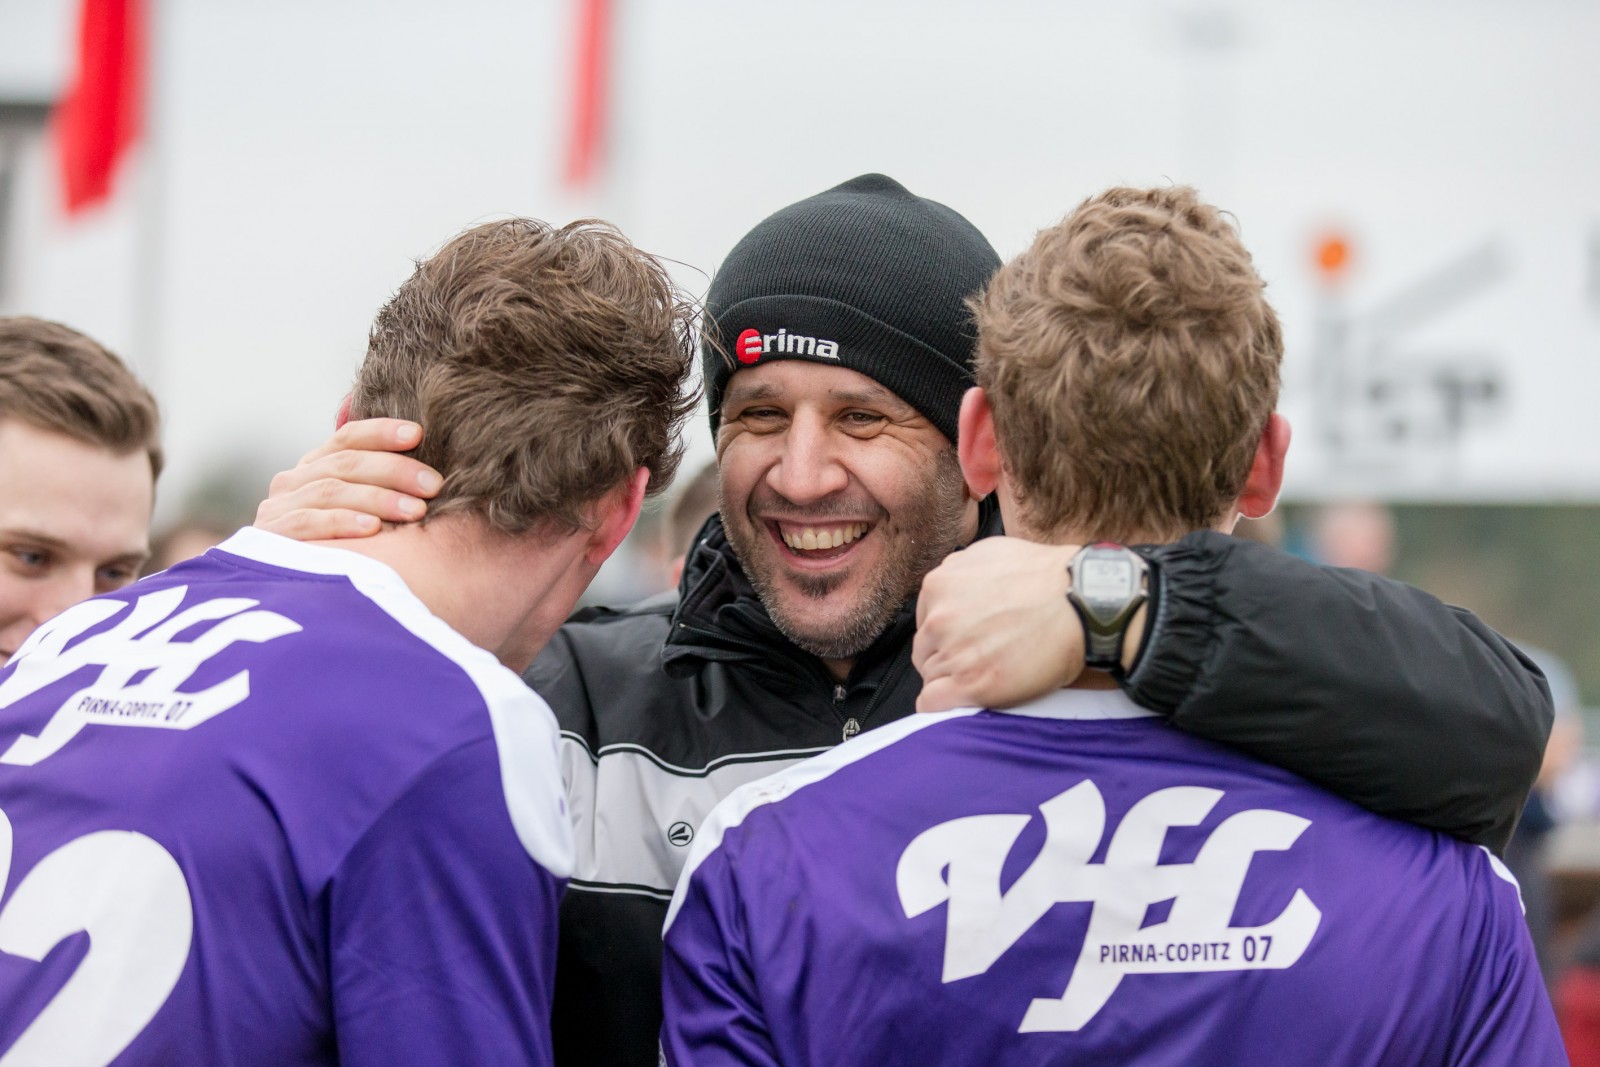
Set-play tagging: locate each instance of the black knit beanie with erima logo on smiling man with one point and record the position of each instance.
(865, 276)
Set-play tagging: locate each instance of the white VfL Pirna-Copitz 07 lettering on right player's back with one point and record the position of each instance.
(959, 865)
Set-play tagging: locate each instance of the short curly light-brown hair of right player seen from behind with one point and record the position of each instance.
(1132, 362)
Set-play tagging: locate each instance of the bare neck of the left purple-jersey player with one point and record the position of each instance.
(503, 594)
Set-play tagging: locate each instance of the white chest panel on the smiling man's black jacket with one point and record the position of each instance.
(652, 810)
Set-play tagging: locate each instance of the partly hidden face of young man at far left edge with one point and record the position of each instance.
(74, 522)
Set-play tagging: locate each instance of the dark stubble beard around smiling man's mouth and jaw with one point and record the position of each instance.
(919, 538)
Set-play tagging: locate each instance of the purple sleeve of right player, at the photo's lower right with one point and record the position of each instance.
(1505, 1015)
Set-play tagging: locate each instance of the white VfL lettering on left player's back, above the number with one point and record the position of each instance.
(142, 644)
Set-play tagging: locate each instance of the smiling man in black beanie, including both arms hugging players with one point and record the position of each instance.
(838, 350)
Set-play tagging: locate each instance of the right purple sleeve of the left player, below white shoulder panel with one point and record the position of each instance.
(442, 929)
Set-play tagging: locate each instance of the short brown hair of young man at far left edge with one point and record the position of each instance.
(55, 378)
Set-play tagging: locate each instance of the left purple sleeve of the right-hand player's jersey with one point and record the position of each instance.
(713, 1009)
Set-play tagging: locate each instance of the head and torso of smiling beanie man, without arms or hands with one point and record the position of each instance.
(836, 353)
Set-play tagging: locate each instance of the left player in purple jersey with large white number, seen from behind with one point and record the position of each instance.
(297, 794)
